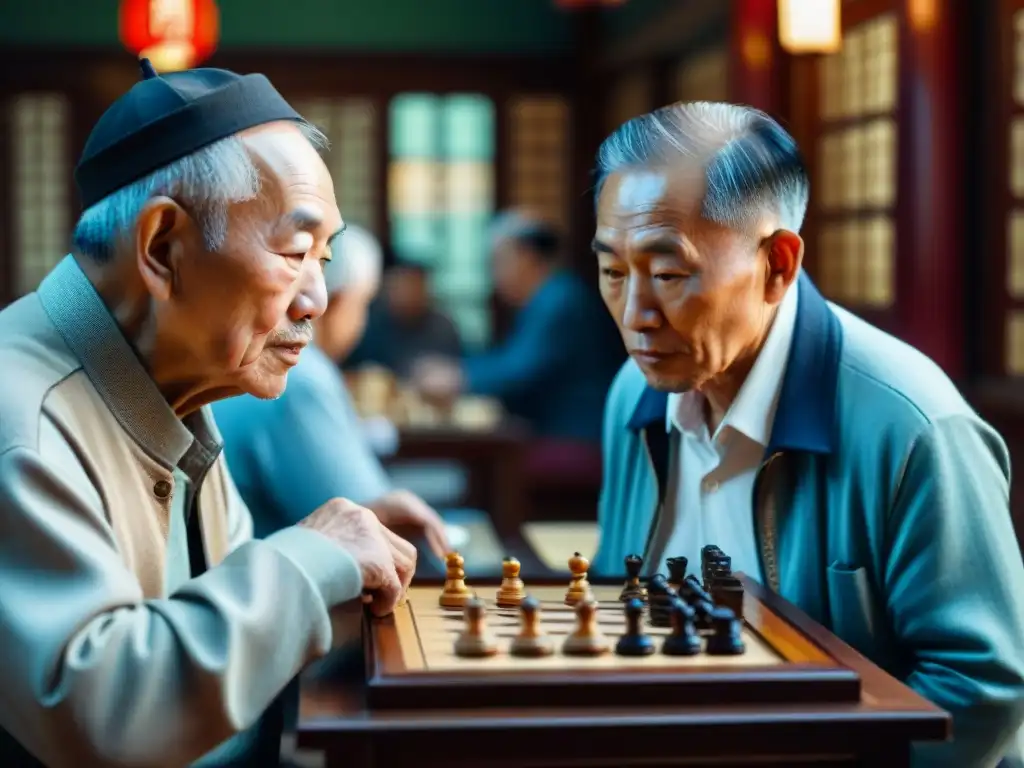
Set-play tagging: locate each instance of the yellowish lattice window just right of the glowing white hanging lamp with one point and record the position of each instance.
(857, 190)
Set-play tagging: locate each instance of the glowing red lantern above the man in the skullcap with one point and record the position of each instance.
(173, 34)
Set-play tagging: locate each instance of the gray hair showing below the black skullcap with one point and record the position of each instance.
(208, 183)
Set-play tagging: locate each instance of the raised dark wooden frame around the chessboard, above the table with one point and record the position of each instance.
(809, 674)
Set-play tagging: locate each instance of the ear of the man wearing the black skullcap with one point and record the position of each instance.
(163, 234)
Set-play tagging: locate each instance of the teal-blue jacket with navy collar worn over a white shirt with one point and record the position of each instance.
(882, 510)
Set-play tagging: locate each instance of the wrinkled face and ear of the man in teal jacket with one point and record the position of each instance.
(690, 297)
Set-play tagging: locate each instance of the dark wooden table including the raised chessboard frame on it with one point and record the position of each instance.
(874, 729)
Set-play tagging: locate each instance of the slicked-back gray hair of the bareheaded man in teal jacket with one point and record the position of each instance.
(754, 167)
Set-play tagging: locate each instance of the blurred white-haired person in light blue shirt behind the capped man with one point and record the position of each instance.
(310, 443)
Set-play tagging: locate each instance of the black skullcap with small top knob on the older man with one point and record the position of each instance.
(165, 118)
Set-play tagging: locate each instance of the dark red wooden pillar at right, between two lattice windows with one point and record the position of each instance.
(930, 207)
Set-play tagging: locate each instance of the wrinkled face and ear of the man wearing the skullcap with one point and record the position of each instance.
(240, 318)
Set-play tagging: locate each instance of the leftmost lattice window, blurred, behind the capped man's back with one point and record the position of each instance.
(40, 186)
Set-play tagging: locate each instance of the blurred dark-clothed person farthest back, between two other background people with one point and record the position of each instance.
(404, 324)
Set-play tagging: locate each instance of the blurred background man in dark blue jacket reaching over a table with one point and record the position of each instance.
(559, 362)
